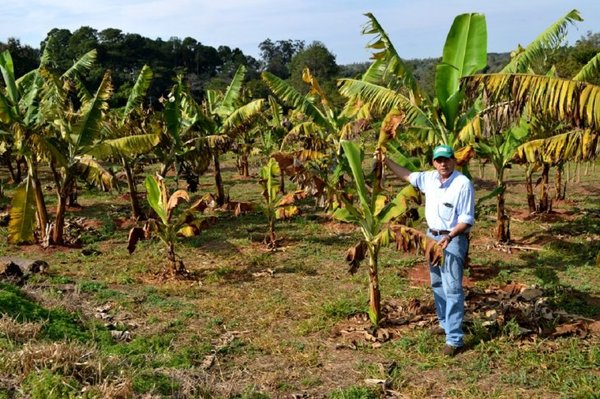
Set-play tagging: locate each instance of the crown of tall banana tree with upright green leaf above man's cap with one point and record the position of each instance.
(389, 86)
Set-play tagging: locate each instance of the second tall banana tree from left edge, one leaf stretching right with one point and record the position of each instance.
(76, 139)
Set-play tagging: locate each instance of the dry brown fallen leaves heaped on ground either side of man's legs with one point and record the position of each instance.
(516, 310)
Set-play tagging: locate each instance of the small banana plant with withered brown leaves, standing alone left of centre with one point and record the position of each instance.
(168, 225)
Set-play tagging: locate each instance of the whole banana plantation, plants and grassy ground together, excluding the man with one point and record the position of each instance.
(259, 306)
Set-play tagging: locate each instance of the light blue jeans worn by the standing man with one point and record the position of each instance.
(448, 294)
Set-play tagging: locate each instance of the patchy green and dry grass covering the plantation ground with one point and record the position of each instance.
(271, 320)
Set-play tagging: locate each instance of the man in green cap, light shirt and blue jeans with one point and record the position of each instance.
(450, 213)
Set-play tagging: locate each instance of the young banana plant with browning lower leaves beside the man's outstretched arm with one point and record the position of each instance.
(373, 213)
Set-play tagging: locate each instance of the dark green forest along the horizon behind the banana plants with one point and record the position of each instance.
(204, 67)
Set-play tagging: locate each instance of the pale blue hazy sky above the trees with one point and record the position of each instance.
(417, 28)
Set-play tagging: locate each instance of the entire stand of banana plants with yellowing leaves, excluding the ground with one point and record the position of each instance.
(518, 115)
